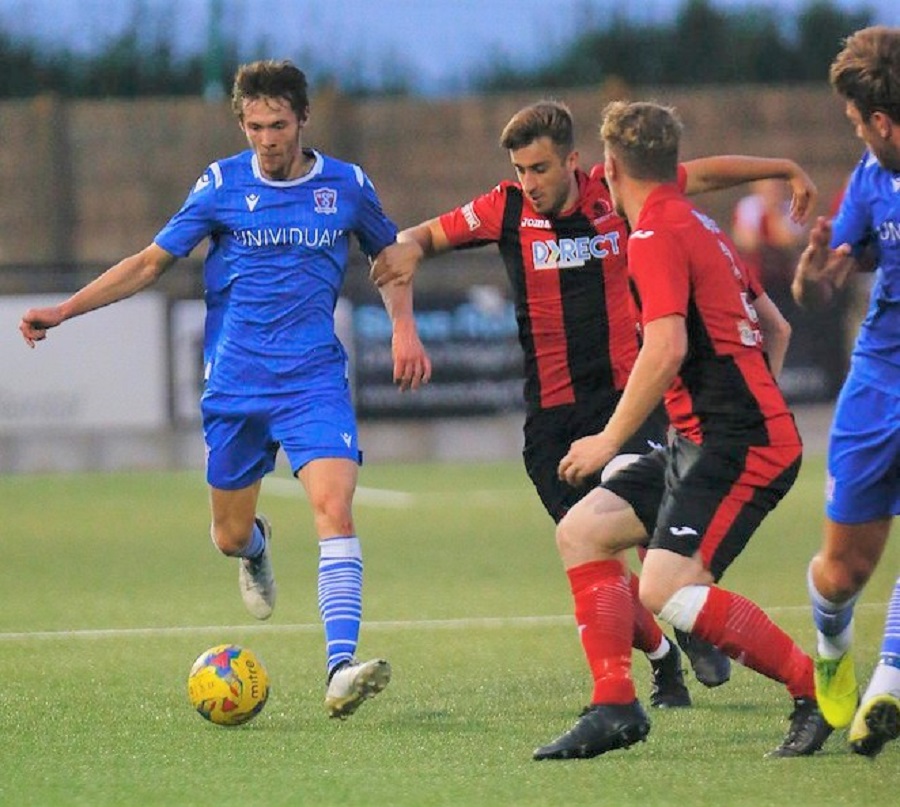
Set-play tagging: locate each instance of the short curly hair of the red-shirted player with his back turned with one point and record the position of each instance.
(645, 137)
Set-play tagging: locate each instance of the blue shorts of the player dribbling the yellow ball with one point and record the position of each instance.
(243, 434)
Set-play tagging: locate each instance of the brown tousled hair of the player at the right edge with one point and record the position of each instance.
(867, 71)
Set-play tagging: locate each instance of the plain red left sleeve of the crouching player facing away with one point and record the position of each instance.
(660, 270)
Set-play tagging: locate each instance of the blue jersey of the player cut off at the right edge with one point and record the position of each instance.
(870, 215)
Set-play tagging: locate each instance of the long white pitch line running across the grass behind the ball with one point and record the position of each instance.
(386, 625)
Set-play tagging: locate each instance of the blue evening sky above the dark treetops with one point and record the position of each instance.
(442, 42)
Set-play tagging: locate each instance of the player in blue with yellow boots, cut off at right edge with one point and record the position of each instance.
(863, 491)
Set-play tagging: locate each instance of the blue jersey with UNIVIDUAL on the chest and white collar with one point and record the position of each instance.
(277, 257)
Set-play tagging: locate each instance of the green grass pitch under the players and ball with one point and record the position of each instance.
(111, 588)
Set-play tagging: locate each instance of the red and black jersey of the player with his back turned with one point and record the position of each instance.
(682, 263)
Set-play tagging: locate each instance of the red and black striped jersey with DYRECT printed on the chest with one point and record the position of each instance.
(570, 288)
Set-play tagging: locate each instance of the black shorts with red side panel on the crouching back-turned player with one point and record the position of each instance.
(706, 498)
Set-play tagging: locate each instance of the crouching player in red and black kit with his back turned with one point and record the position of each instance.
(712, 345)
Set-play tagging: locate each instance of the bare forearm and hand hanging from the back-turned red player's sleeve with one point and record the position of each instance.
(657, 364)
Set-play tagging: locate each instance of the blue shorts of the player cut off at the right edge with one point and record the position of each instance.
(863, 455)
